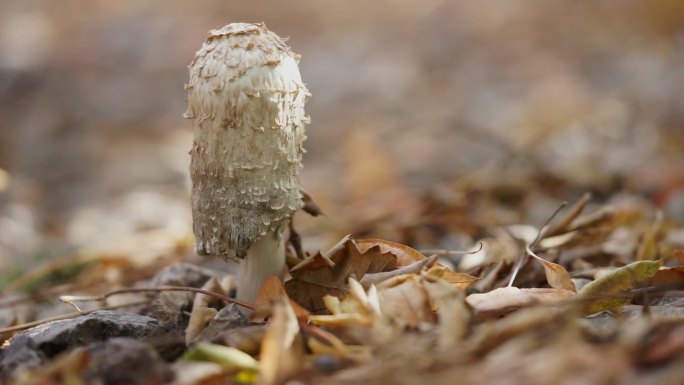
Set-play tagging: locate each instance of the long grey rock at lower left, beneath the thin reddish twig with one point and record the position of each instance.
(35, 346)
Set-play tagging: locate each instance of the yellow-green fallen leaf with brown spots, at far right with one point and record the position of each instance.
(616, 282)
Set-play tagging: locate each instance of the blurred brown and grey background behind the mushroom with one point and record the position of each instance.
(417, 107)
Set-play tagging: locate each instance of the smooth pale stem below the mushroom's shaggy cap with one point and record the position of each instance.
(266, 257)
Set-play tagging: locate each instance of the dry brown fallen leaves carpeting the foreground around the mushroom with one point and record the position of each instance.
(585, 308)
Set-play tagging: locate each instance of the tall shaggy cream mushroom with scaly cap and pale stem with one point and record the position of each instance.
(246, 100)
